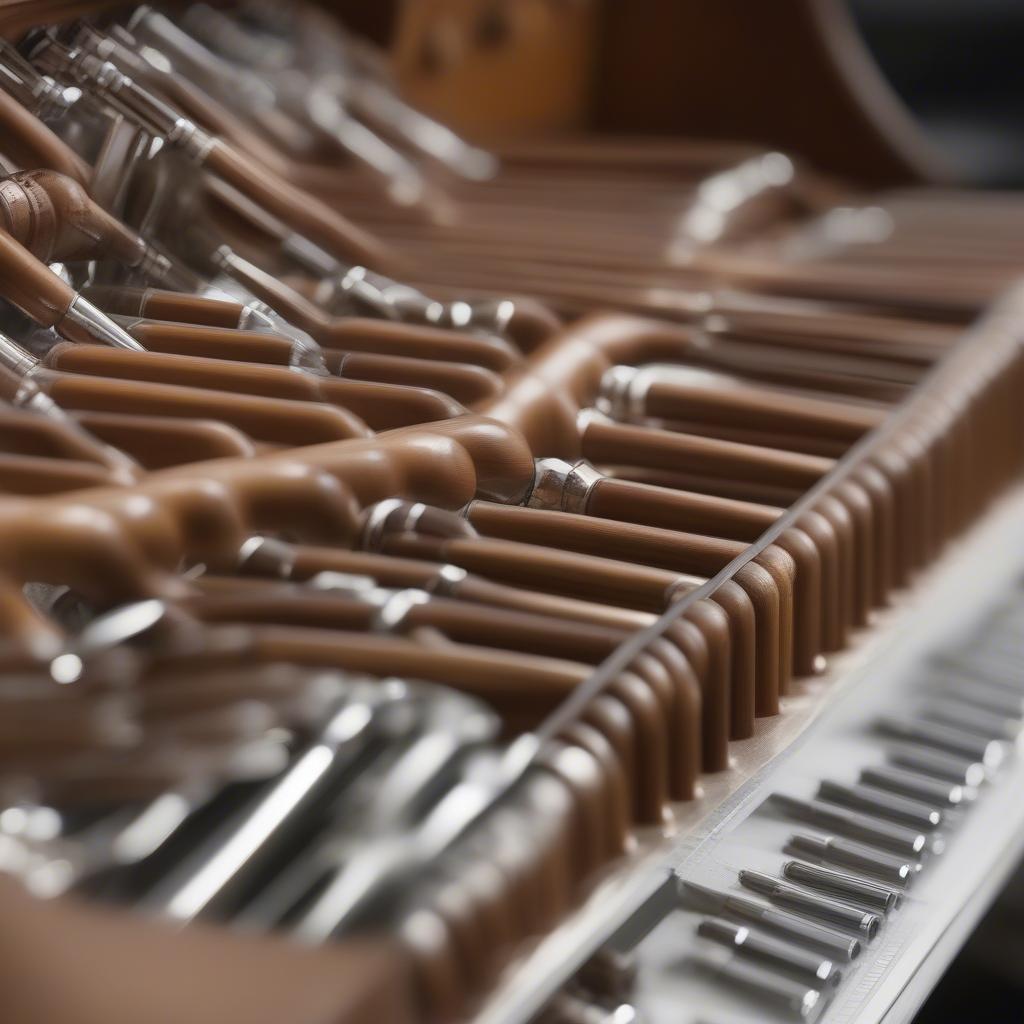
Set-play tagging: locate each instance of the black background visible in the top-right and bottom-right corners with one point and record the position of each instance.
(959, 65)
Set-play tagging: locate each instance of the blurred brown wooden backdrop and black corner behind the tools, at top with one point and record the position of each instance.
(880, 92)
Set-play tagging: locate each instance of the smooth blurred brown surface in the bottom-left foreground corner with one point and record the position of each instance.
(232, 975)
